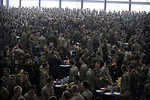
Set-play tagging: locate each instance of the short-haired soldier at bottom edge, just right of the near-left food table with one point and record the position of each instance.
(75, 92)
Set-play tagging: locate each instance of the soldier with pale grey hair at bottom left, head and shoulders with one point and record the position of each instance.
(17, 94)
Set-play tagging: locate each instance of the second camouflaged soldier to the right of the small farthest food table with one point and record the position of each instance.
(83, 69)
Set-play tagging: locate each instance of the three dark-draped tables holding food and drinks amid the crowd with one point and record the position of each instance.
(106, 93)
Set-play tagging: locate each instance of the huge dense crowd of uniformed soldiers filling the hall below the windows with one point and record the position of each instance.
(101, 47)
